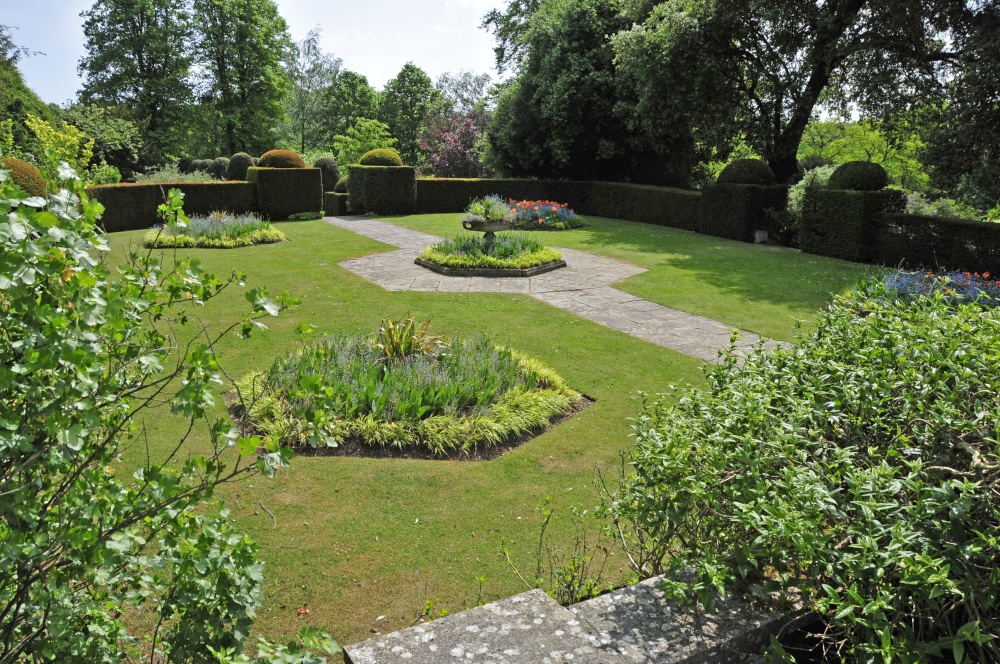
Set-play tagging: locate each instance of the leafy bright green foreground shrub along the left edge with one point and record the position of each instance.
(84, 354)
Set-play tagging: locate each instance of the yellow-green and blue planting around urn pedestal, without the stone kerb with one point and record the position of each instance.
(507, 251)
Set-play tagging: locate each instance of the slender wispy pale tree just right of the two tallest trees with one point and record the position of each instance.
(311, 73)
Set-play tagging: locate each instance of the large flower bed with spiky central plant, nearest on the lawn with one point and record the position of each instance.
(404, 389)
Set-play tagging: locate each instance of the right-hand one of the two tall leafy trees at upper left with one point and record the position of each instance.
(241, 46)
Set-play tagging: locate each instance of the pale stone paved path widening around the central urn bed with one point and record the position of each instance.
(583, 287)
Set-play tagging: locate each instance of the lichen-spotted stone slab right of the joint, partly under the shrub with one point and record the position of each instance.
(643, 627)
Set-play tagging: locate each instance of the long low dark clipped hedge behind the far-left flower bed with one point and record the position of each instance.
(130, 207)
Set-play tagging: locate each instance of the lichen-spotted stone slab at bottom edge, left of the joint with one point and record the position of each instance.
(527, 628)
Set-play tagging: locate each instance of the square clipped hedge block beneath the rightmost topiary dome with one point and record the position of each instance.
(842, 224)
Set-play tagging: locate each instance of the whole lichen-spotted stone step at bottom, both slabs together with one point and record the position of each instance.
(634, 625)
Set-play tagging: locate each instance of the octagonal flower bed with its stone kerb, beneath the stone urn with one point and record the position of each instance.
(505, 254)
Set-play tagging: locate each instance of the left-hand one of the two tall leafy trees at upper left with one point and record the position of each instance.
(138, 55)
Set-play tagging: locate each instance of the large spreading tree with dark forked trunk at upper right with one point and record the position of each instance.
(762, 67)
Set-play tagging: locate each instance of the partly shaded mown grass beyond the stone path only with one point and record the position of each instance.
(758, 288)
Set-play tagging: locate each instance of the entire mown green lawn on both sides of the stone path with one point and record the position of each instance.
(357, 539)
